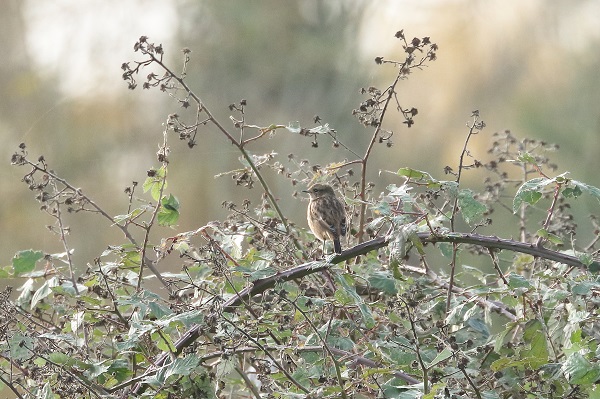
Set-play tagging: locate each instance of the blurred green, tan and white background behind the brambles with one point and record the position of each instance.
(532, 67)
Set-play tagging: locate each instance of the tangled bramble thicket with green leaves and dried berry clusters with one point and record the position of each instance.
(256, 310)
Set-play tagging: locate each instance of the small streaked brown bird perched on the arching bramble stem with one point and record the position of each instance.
(326, 215)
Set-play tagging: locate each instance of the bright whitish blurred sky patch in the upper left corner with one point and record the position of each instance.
(85, 42)
